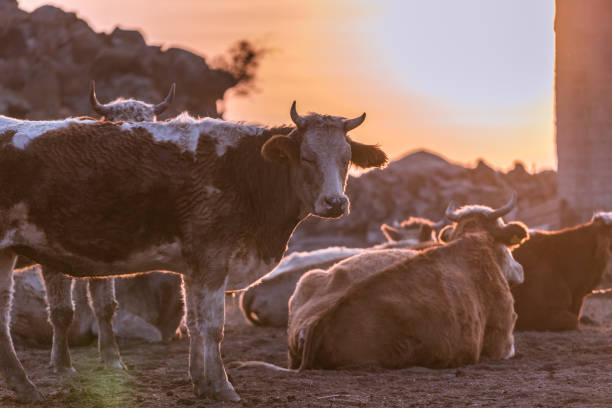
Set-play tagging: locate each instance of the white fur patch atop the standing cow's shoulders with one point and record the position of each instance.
(184, 131)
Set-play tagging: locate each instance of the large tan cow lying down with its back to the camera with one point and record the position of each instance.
(442, 307)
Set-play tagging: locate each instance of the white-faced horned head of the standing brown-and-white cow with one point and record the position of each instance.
(319, 153)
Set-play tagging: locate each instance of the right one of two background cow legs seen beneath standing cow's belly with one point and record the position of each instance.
(102, 293)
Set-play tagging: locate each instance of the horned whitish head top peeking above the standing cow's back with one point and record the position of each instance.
(129, 110)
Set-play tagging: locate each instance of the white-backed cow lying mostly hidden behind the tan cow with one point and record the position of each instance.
(265, 302)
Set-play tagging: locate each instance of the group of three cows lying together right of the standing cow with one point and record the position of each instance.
(436, 303)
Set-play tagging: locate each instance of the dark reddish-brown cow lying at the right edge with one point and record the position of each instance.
(561, 269)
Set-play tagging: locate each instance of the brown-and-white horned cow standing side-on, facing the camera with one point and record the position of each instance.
(214, 200)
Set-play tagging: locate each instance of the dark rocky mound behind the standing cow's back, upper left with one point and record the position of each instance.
(49, 56)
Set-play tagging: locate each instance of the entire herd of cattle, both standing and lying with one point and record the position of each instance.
(215, 203)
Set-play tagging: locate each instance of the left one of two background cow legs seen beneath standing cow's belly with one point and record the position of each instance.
(59, 301)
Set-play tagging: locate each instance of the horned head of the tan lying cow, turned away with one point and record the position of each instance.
(483, 219)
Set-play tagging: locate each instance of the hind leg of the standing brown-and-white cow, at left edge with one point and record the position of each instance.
(10, 366)
